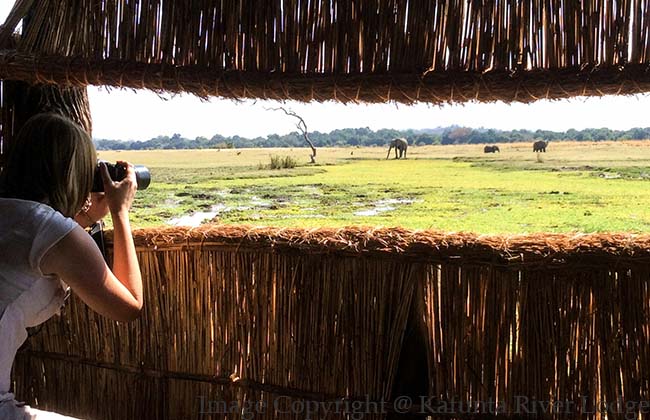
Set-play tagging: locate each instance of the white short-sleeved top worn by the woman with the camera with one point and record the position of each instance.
(27, 297)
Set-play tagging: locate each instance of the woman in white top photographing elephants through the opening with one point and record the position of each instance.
(44, 205)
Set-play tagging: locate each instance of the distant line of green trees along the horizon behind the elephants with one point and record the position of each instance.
(367, 137)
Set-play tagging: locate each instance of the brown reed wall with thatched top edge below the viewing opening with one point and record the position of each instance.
(275, 317)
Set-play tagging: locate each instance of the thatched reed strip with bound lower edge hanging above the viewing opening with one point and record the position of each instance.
(366, 51)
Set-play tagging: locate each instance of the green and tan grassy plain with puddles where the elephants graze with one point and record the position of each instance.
(573, 187)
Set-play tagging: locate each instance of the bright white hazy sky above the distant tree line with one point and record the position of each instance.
(140, 115)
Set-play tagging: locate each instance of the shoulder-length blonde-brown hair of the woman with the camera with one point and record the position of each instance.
(52, 161)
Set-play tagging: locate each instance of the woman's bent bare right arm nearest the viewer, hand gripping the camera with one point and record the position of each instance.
(76, 259)
